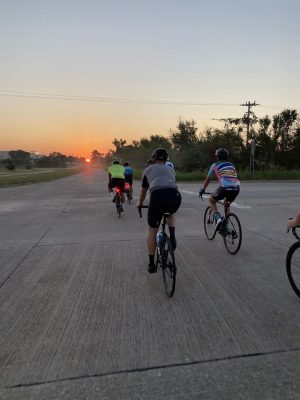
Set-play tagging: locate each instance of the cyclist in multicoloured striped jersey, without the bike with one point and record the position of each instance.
(229, 185)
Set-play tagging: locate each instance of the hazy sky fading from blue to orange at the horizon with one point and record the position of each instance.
(75, 74)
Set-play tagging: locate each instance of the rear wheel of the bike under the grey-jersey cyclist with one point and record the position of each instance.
(168, 267)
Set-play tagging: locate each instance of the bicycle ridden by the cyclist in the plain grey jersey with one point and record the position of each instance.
(164, 255)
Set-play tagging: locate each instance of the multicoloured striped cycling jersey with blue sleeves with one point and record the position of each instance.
(225, 173)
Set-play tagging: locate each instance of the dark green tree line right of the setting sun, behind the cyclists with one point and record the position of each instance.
(274, 140)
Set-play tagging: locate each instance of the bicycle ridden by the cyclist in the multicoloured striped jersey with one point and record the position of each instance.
(230, 228)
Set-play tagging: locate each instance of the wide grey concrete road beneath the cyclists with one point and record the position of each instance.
(81, 318)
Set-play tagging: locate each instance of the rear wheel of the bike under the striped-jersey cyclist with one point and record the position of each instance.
(232, 234)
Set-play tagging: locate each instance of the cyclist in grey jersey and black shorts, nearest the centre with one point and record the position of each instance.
(164, 197)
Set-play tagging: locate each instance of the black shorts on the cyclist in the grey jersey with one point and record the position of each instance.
(162, 201)
